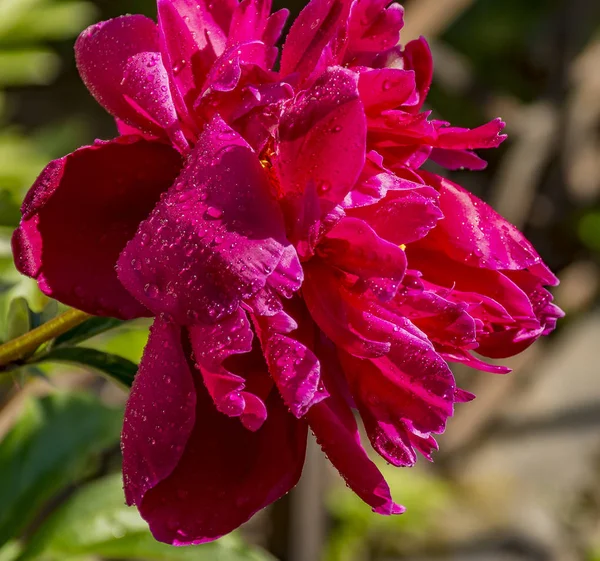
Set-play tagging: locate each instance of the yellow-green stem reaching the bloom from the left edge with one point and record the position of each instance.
(25, 345)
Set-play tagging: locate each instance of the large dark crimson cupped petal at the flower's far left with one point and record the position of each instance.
(80, 214)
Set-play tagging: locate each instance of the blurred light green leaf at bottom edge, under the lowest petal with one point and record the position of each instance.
(97, 522)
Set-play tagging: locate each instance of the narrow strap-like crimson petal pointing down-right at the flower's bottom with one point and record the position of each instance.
(334, 427)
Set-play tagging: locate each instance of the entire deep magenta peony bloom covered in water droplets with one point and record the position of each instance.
(299, 263)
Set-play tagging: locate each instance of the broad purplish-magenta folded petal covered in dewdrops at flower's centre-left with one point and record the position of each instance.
(213, 239)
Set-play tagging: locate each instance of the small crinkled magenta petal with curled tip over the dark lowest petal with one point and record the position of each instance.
(212, 346)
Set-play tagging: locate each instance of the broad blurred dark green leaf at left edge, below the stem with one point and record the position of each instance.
(52, 445)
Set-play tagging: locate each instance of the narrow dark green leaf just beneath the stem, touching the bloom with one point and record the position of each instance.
(114, 366)
